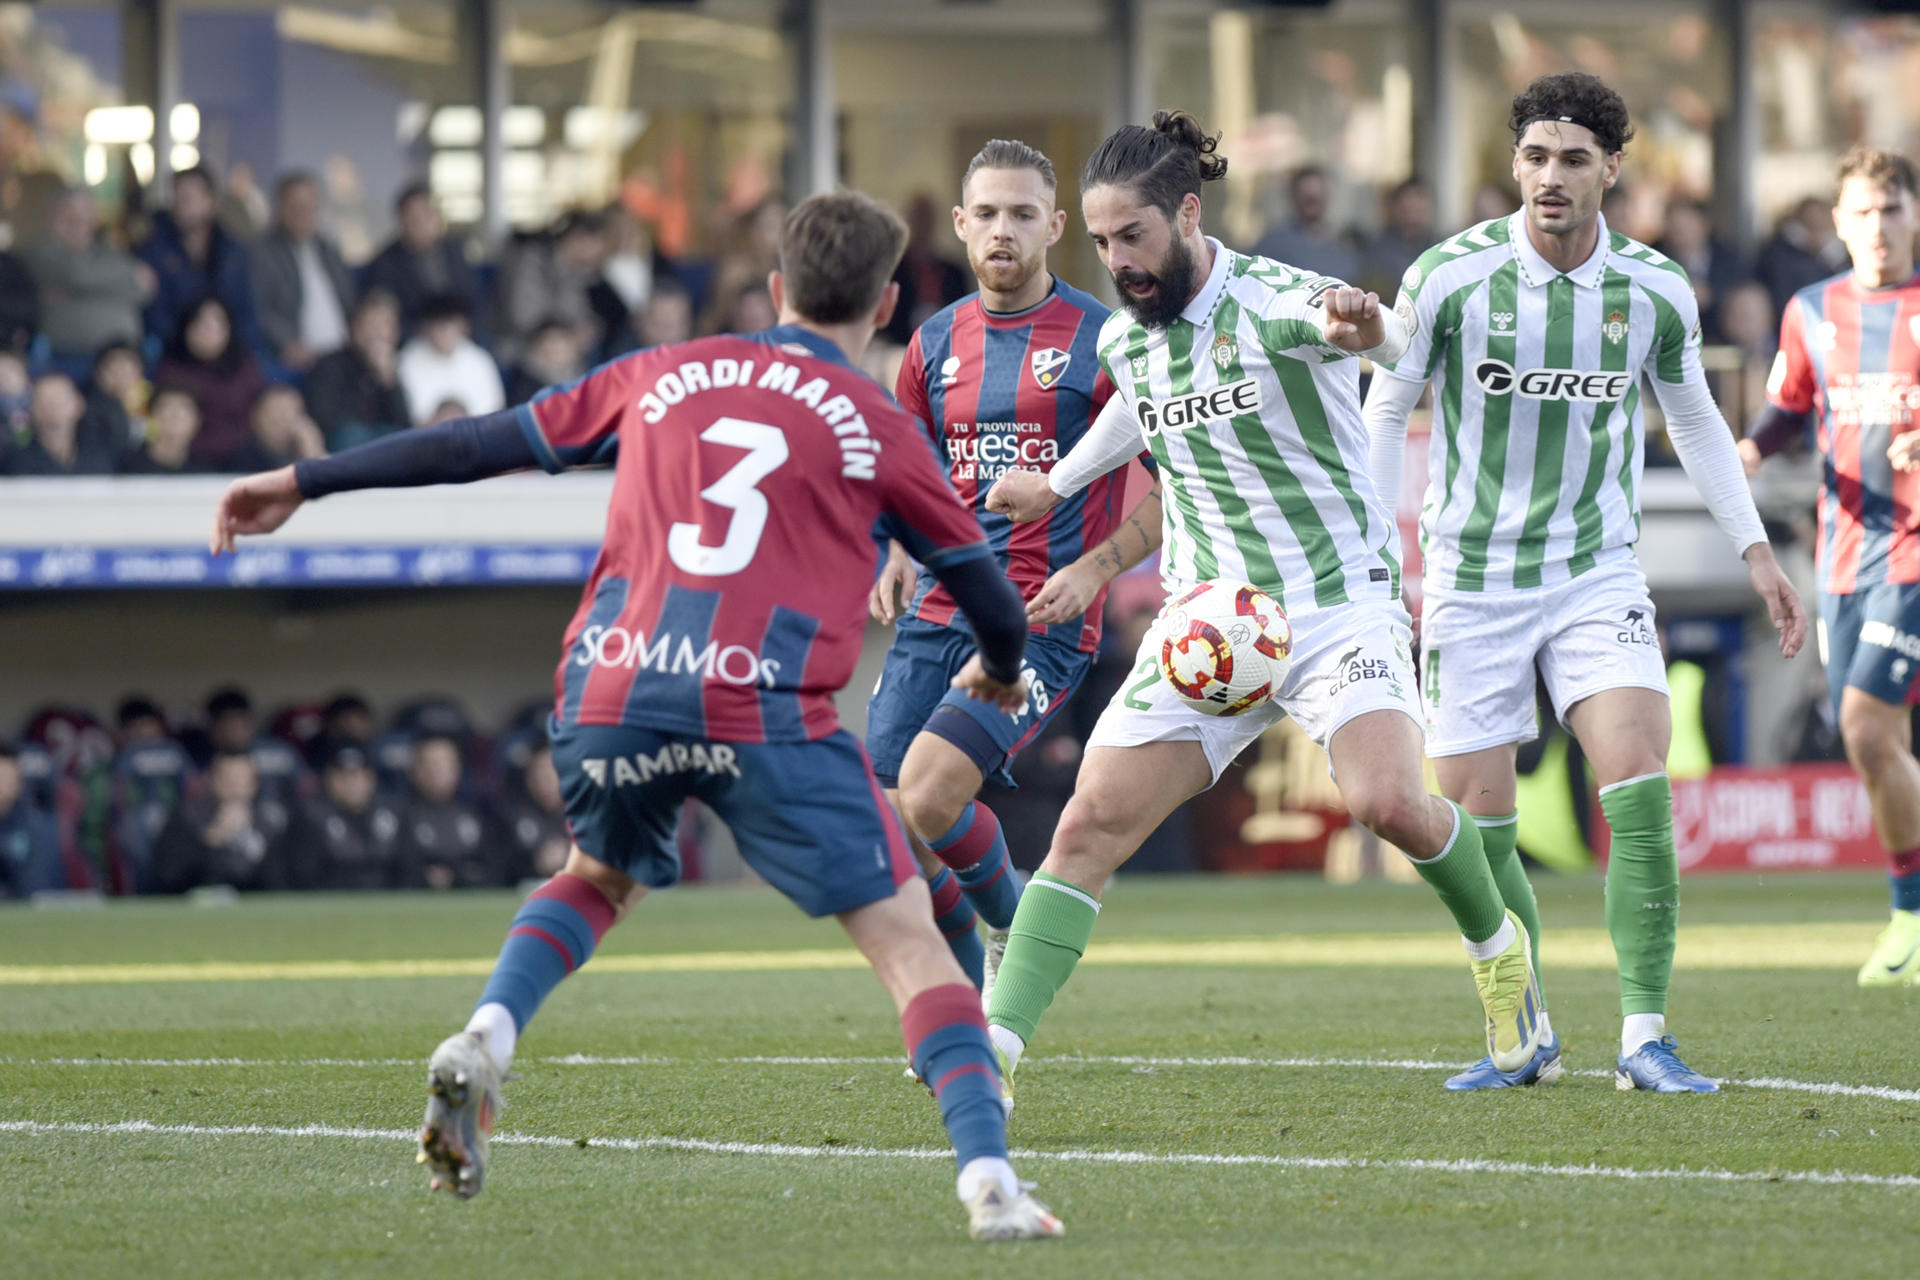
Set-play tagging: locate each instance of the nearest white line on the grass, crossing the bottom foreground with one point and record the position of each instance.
(1620, 1173)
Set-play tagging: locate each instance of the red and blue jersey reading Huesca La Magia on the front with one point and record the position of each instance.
(1017, 392)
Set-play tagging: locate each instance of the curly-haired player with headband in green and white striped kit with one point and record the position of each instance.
(1537, 333)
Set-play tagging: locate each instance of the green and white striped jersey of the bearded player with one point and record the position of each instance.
(1257, 427)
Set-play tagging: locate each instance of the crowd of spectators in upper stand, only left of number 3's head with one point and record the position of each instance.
(189, 343)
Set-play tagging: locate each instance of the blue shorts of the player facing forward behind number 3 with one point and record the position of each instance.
(917, 694)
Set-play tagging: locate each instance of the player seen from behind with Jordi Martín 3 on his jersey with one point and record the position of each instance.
(723, 617)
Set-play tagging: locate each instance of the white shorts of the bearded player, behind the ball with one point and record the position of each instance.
(1349, 661)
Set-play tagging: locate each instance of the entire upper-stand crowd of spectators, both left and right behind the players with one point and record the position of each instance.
(204, 346)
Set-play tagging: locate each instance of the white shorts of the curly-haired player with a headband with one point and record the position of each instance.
(1479, 650)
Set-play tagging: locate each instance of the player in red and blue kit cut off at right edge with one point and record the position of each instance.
(1850, 354)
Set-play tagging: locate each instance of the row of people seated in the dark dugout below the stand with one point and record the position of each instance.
(320, 797)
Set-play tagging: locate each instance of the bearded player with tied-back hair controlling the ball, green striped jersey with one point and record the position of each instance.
(1239, 373)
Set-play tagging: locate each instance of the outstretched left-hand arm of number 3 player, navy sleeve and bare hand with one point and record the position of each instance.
(456, 452)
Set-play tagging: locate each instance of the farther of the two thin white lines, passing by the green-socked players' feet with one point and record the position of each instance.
(1092, 1060)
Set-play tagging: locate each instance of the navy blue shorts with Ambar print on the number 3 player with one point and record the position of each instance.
(807, 817)
